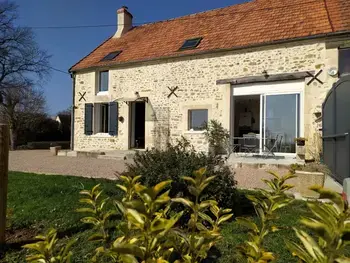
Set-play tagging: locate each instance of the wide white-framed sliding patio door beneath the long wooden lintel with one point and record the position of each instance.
(281, 113)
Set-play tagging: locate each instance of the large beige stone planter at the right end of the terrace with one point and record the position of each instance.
(305, 180)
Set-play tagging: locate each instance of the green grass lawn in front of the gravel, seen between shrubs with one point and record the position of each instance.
(43, 201)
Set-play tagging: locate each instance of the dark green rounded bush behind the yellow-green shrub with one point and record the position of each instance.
(181, 160)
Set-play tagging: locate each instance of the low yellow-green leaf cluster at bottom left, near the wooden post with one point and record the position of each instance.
(47, 251)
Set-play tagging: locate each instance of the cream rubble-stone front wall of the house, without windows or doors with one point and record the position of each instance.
(196, 77)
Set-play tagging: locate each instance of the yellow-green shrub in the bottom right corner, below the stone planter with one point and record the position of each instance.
(330, 226)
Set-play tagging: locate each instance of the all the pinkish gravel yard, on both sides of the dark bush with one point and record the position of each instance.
(41, 161)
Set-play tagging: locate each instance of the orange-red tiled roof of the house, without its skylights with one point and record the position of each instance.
(251, 23)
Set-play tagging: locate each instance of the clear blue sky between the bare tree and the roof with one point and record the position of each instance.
(67, 46)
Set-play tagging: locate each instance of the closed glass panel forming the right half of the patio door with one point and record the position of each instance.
(280, 114)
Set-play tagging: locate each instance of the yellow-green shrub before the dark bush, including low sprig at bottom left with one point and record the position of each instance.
(149, 230)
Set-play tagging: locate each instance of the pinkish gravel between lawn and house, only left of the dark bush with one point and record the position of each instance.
(43, 162)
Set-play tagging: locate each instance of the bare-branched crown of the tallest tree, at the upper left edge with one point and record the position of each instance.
(21, 59)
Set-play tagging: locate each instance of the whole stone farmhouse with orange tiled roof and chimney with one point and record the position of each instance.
(261, 67)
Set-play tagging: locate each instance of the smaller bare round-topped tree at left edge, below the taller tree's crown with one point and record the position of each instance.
(23, 106)
